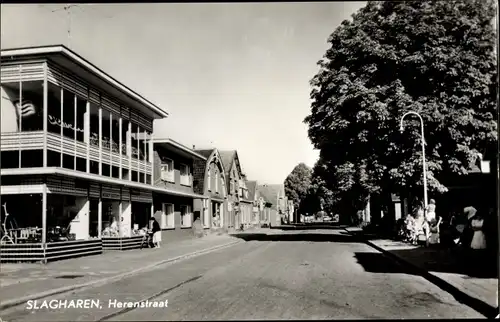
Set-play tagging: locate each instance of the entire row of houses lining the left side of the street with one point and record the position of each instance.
(79, 158)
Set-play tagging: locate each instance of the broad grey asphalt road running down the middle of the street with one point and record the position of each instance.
(296, 275)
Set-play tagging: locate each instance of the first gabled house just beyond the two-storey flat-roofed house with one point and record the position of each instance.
(210, 180)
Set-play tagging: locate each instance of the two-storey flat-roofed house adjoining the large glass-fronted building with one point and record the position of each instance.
(174, 205)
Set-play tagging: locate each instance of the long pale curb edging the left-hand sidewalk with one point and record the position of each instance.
(11, 303)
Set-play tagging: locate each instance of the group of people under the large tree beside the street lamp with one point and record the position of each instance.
(425, 227)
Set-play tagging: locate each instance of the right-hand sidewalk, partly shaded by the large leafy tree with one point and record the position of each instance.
(445, 265)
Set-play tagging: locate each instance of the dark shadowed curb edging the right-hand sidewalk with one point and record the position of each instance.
(461, 296)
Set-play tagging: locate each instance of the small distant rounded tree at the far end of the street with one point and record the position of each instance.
(297, 184)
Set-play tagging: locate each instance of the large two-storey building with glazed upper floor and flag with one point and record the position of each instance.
(76, 154)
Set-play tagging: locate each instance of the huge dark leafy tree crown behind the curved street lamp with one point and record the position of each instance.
(433, 57)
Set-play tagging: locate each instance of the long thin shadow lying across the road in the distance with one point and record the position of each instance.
(298, 237)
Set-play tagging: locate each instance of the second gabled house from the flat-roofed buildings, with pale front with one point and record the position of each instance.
(239, 204)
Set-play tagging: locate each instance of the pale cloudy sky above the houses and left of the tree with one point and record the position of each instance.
(234, 76)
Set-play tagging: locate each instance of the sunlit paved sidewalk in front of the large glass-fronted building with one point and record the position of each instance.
(24, 281)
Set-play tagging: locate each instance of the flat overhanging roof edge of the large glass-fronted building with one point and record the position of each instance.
(74, 58)
